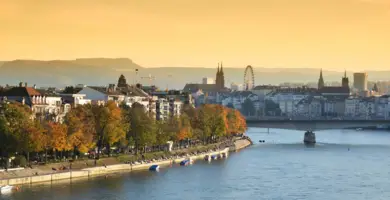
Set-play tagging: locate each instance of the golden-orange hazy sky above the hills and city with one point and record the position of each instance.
(329, 34)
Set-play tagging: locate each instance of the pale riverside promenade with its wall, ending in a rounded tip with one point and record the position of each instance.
(104, 170)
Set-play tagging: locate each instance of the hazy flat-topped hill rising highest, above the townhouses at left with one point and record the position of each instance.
(64, 72)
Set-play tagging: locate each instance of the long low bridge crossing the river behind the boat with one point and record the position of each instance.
(314, 125)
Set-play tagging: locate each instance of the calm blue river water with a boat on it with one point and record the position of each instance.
(346, 164)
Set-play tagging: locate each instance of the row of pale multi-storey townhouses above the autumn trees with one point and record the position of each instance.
(53, 104)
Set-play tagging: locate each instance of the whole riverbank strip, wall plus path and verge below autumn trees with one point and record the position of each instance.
(110, 166)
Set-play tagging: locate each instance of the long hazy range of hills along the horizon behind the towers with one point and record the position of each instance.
(102, 71)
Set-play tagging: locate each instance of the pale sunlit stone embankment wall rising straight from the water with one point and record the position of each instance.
(96, 171)
